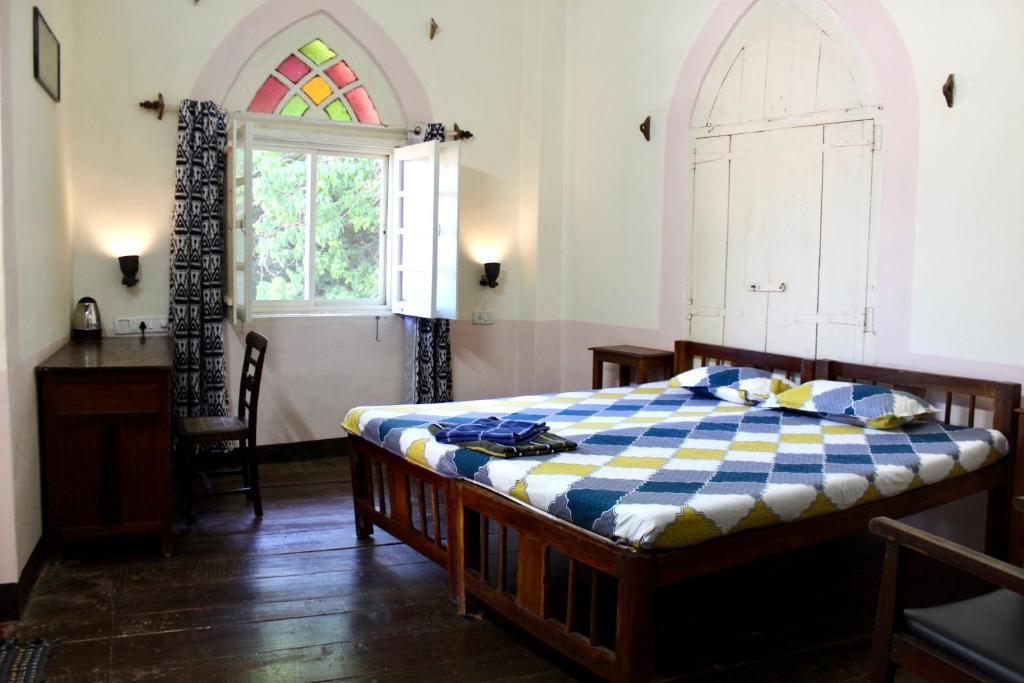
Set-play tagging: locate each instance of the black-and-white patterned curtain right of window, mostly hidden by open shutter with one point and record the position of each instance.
(429, 346)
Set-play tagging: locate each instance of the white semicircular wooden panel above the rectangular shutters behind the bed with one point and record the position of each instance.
(786, 59)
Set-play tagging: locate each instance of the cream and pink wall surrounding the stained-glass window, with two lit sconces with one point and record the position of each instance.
(124, 173)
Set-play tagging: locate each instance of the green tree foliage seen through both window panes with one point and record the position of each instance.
(349, 216)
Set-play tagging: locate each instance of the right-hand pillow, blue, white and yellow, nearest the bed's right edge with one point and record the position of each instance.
(865, 405)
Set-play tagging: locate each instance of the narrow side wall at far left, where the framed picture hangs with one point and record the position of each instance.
(37, 262)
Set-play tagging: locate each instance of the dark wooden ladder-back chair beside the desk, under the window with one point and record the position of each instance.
(241, 429)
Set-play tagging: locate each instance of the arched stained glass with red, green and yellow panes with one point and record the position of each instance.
(314, 79)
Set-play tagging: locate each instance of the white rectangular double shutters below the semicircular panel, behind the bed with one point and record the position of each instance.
(781, 241)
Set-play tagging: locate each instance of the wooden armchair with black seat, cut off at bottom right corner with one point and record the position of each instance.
(978, 639)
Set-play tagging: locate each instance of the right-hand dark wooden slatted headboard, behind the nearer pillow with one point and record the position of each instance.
(962, 394)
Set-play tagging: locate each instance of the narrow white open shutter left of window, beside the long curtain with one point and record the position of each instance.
(239, 209)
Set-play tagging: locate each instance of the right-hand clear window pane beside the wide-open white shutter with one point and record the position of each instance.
(350, 191)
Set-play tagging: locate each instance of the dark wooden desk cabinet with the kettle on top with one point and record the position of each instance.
(105, 411)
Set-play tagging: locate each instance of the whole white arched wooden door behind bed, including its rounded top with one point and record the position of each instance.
(786, 135)
